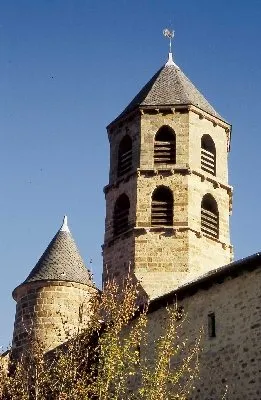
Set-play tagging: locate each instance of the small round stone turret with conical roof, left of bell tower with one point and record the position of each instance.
(54, 300)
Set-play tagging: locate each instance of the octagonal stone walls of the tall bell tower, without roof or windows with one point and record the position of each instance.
(164, 258)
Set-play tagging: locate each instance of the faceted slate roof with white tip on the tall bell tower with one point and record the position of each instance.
(169, 87)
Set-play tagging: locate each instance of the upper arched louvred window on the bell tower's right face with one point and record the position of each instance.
(208, 155)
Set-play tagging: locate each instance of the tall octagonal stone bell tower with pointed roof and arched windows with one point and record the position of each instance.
(168, 200)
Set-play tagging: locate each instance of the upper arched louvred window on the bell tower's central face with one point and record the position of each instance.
(165, 146)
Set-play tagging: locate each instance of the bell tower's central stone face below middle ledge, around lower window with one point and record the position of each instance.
(161, 256)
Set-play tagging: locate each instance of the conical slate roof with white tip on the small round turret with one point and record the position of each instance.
(61, 261)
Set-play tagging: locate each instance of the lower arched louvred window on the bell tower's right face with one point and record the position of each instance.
(209, 216)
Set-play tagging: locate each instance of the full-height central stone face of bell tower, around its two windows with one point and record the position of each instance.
(161, 256)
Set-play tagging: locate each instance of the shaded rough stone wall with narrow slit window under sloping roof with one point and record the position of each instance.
(233, 357)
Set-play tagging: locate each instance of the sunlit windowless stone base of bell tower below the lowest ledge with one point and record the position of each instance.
(164, 261)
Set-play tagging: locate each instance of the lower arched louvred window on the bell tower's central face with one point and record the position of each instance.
(162, 207)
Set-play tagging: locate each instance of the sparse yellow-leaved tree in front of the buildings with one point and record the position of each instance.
(110, 359)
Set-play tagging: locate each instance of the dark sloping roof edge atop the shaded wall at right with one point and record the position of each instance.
(218, 275)
